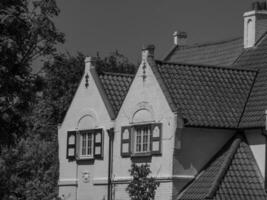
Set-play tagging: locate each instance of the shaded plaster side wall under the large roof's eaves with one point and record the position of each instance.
(194, 147)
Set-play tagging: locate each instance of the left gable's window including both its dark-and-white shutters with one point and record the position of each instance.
(85, 144)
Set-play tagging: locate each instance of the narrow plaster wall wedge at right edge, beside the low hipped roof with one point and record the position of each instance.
(257, 143)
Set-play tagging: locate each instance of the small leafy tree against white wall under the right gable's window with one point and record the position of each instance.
(141, 187)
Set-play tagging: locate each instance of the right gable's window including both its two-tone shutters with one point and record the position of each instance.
(141, 140)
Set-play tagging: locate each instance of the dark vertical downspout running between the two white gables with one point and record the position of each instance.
(110, 161)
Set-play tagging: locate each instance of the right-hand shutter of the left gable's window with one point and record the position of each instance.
(98, 143)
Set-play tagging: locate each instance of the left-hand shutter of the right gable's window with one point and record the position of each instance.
(126, 141)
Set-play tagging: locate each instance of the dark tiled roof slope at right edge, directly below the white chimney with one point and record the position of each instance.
(255, 58)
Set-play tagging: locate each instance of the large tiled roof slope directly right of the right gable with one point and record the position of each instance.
(205, 95)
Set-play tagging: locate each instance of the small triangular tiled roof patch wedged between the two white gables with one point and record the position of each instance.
(116, 86)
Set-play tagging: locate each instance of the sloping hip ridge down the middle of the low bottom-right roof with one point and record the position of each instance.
(225, 165)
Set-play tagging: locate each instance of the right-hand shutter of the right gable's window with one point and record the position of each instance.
(156, 138)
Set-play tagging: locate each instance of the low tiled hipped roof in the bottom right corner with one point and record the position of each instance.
(233, 174)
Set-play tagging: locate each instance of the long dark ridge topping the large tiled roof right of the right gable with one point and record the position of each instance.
(207, 66)
